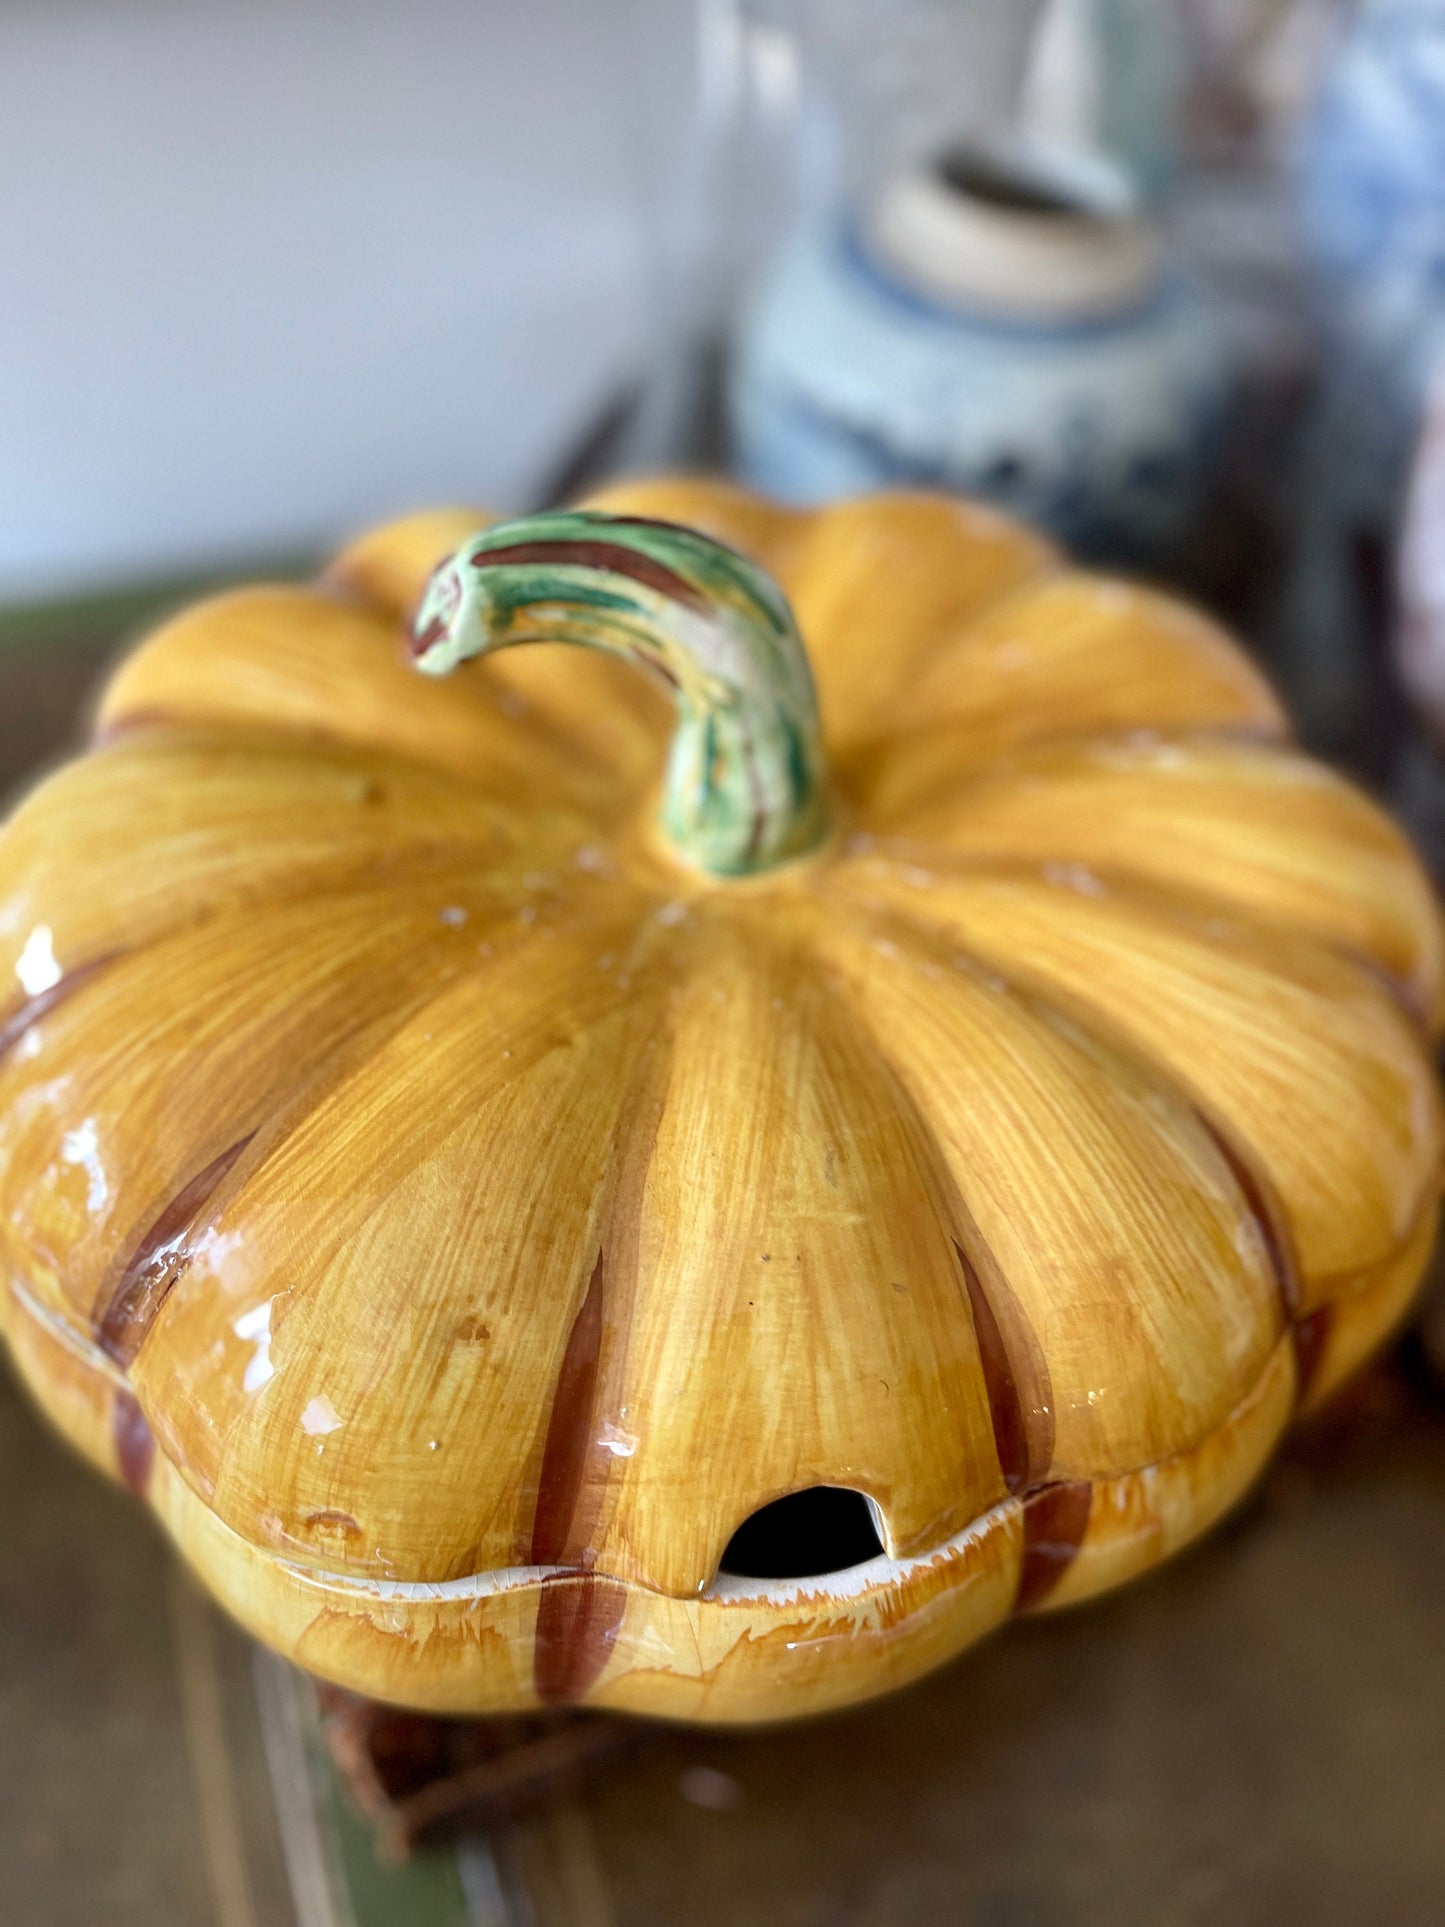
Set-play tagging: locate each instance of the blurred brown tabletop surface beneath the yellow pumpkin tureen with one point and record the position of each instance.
(1255, 1735)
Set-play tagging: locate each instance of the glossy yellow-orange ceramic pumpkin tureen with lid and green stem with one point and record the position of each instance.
(465, 1194)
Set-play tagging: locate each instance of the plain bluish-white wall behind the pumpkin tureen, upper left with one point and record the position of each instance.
(271, 269)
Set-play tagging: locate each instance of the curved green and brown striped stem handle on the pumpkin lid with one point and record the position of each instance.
(745, 778)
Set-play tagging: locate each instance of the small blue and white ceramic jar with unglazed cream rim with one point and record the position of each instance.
(1003, 329)
